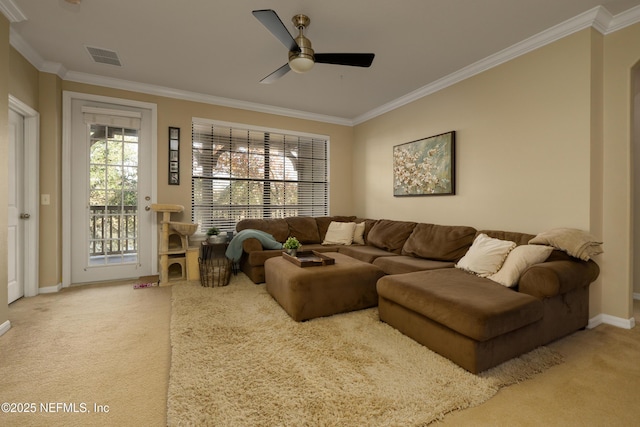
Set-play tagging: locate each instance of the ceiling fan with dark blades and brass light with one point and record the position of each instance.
(301, 55)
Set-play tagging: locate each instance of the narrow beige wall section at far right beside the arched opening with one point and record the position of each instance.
(621, 53)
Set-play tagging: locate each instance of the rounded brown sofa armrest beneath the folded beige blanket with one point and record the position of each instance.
(551, 278)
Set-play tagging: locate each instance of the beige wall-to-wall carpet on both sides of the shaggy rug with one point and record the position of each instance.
(109, 345)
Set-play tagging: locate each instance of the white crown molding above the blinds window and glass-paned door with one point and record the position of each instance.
(199, 97)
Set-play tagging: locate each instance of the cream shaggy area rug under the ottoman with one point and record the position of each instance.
(239, 360)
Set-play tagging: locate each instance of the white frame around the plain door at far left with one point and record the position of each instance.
(31, 189)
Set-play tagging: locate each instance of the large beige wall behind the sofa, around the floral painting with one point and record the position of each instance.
(523, 141)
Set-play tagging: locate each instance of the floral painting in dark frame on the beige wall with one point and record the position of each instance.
(425, 167)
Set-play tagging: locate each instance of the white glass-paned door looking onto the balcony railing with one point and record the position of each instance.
(110, 187)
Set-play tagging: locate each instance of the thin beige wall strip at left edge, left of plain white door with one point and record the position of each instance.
(4, 146)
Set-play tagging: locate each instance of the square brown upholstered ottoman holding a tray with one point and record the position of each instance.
(310, 292)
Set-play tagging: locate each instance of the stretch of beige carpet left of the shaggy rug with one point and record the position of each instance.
(105, 345)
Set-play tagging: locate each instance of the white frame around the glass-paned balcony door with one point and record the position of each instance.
(67, 98)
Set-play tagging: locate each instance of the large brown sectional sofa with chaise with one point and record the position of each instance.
(471, 320)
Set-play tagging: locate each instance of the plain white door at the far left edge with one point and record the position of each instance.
(16, 231)
